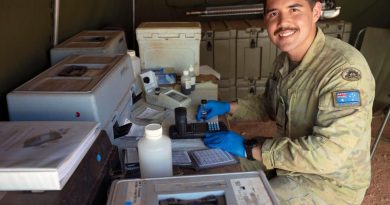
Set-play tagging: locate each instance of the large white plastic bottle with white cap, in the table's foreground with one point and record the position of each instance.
(155, 153)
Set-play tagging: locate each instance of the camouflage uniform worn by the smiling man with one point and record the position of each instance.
(322, 147)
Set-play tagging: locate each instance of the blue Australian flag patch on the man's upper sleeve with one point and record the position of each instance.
(347, 98)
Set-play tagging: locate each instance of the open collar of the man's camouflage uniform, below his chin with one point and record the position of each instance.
(311, 54)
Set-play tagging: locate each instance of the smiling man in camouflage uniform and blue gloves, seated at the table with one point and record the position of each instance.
(320, 95)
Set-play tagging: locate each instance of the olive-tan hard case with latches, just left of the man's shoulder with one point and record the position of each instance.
(255, 55)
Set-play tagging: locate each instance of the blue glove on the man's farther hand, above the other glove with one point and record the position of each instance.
(212, 108)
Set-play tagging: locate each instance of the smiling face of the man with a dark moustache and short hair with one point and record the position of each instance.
(291, 24)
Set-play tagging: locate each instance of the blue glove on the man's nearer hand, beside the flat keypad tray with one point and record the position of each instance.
(228, 141)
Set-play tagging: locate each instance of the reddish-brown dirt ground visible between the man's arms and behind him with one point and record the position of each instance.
(379, 190)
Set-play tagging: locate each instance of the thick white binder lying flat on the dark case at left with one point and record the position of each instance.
(42, 155)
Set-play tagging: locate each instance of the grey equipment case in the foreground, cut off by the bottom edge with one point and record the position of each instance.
(242, 188)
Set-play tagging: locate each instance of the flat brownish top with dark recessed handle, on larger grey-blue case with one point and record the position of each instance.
(96, 68)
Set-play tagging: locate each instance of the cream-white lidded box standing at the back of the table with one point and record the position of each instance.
(169, 45)
